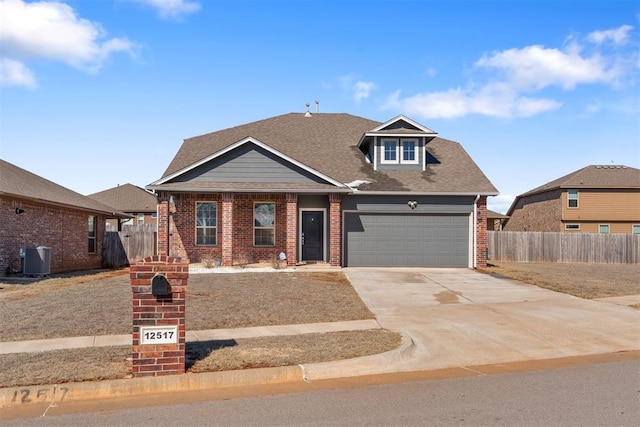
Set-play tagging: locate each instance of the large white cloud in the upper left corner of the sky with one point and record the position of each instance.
(51, 30)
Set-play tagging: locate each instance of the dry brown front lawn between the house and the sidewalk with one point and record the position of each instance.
(100, 304)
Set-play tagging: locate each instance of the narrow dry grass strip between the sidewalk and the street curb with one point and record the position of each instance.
(95, 364)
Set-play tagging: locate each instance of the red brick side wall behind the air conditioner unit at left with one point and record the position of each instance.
(63, 230)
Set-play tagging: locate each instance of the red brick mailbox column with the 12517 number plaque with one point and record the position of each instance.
(159, 286)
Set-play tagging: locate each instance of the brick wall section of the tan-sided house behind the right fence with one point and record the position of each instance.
(538, 212)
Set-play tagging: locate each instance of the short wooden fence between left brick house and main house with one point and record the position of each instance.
(126, 247)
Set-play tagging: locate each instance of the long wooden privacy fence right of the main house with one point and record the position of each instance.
(563, 247)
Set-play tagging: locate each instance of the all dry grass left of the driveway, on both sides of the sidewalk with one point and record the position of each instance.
(100, 304)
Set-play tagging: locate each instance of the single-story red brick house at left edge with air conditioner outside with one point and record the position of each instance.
(38, 212)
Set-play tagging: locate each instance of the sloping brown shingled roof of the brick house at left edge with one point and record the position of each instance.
(18, 183)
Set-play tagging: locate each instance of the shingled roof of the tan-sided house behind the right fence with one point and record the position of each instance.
(594, 176)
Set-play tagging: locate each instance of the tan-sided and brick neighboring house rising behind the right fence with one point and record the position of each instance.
(594, 199)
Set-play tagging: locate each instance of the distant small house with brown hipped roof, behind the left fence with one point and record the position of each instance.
(130, 199)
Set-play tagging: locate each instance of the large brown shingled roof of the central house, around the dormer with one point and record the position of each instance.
(328, 143)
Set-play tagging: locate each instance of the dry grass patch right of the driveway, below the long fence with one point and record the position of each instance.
(581, 280)
